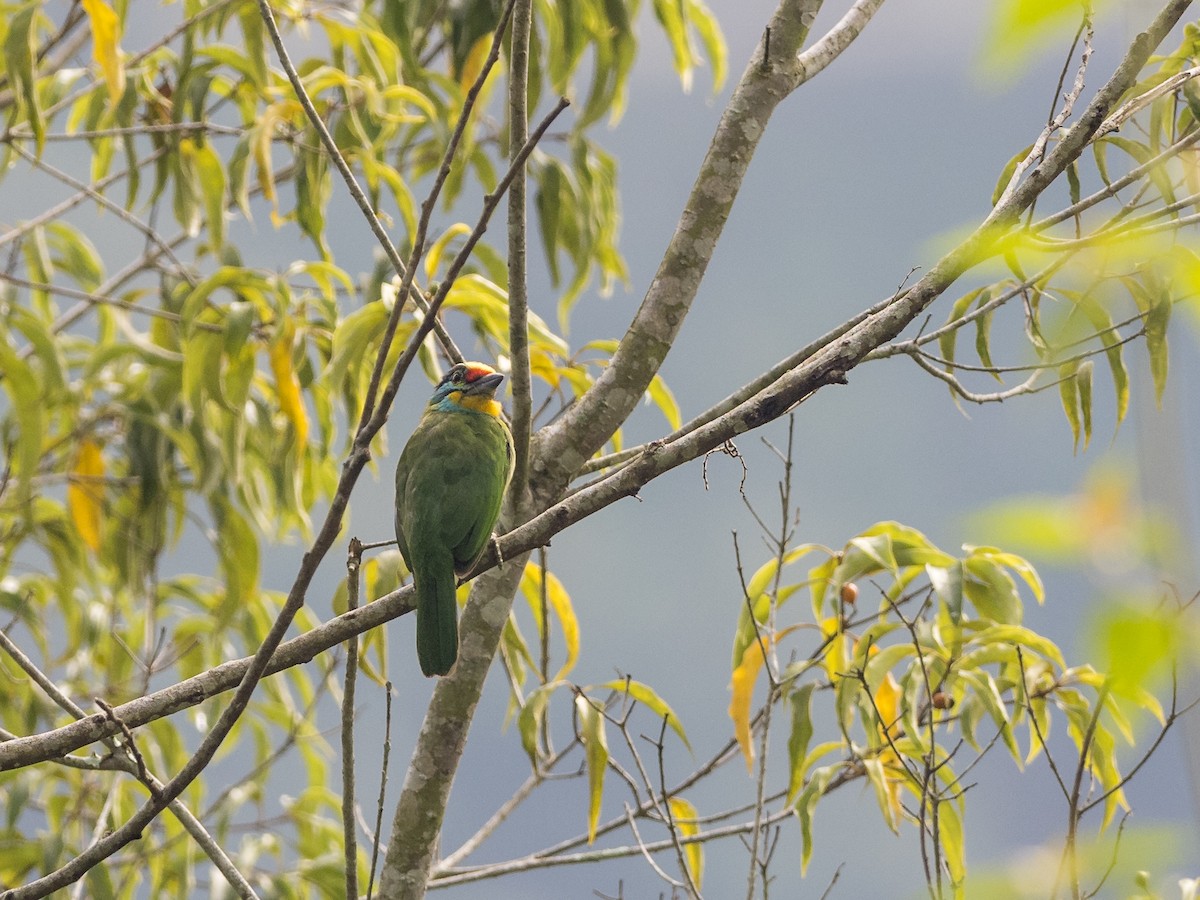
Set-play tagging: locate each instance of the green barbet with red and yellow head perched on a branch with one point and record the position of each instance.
(451, 482)
